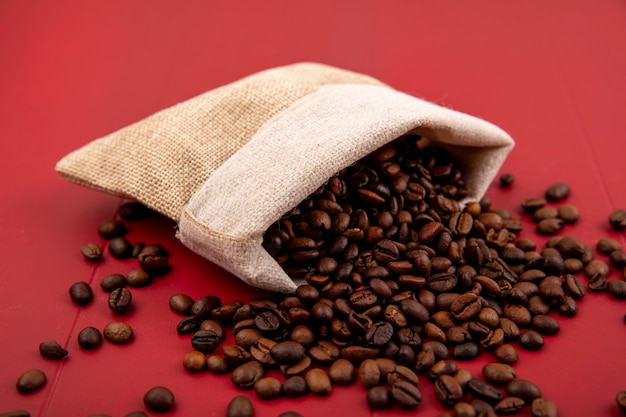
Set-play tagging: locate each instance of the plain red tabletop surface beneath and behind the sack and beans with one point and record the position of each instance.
(550, 73)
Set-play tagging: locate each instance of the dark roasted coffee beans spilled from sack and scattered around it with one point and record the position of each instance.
(404, 281)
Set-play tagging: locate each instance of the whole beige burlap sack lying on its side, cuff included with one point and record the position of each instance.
(228, 163)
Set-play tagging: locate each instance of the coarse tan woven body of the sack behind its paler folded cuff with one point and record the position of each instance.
(163, 159)
